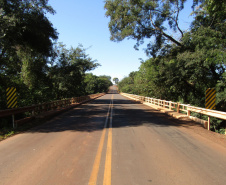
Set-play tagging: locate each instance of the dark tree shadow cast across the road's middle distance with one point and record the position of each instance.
(91, 117)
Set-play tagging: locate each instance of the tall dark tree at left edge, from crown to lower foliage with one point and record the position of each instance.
(26, 45)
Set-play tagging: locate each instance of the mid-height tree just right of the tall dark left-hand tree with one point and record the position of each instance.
(68, 71)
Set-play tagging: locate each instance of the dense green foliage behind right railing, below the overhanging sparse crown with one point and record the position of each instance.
(184, 73)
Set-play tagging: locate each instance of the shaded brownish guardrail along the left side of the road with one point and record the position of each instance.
(45, 107)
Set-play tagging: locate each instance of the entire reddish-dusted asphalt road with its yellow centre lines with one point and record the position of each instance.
(111, 140)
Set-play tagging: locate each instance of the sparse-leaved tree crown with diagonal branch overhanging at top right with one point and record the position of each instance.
(138, 19)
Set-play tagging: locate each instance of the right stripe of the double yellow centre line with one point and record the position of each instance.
(107, 171)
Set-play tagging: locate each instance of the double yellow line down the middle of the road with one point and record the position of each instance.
(107, 170)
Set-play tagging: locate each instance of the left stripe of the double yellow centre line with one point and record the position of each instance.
(96, 165)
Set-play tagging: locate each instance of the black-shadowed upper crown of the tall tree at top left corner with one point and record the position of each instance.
(24, 26)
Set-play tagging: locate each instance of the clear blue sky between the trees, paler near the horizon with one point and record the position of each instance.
(84, 22)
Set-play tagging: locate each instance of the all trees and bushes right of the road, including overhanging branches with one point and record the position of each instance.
(181, 68)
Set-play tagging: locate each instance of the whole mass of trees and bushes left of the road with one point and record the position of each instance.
(32, 61)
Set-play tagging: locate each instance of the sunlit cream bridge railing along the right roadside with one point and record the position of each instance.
(180, 108)
